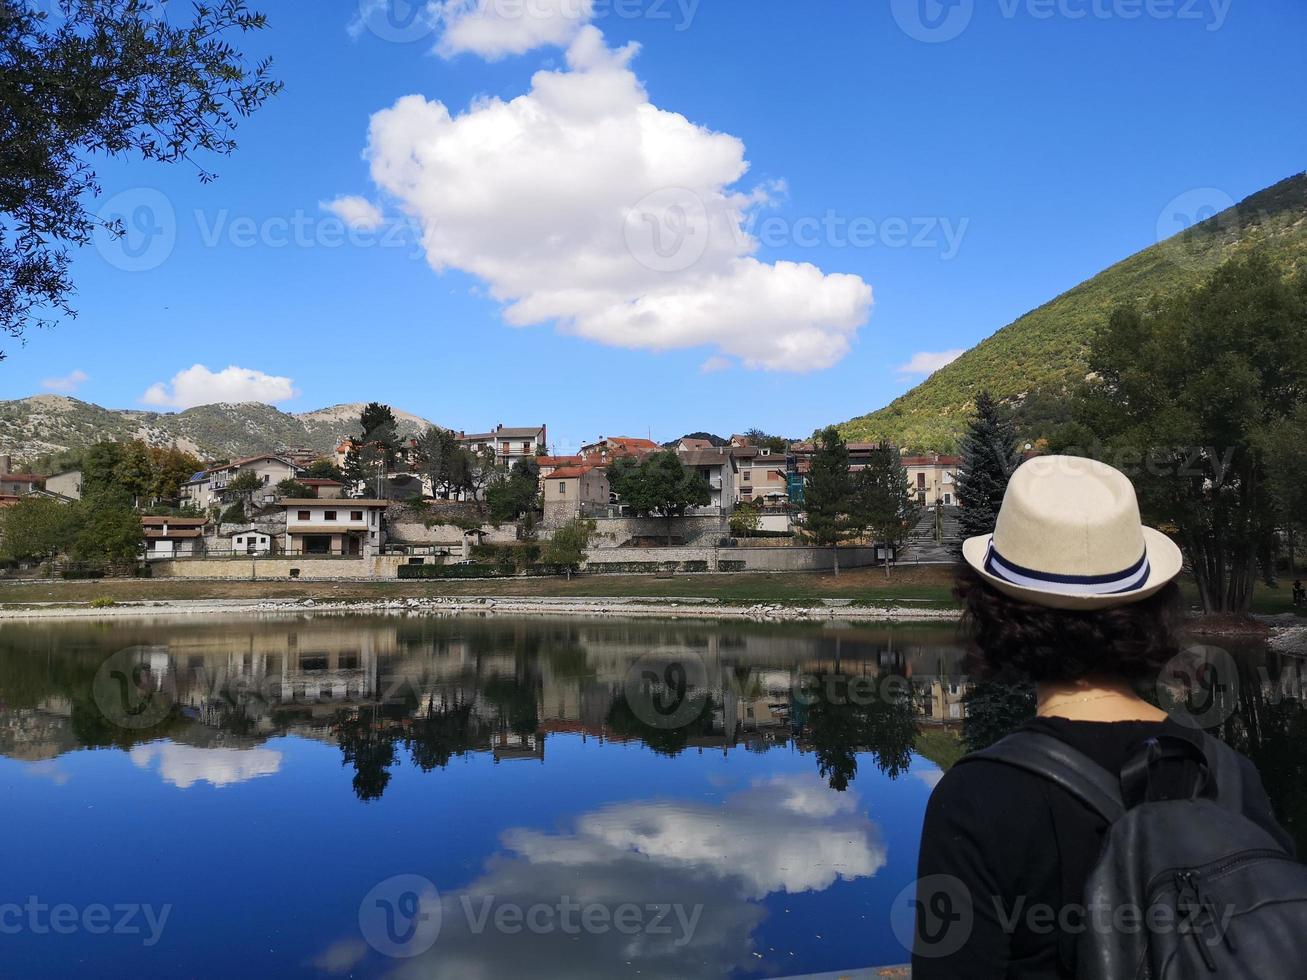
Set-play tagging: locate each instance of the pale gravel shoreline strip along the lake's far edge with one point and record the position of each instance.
(621, 607)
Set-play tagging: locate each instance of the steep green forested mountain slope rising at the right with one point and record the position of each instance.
(1044, 352)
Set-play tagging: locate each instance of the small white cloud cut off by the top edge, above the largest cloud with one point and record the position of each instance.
(496, 28)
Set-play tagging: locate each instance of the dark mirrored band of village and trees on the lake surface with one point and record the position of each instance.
(438, 691)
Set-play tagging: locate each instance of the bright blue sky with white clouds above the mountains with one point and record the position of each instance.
(918, 177)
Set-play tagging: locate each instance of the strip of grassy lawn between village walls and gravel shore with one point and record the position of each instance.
(926, 586)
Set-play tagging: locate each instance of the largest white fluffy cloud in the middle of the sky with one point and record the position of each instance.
(584, 204)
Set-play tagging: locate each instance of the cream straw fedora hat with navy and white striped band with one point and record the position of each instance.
(1070, 536)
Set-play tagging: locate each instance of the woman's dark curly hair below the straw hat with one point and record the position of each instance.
(1010, 640)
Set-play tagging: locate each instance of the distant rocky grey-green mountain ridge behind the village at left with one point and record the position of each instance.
(48, 424)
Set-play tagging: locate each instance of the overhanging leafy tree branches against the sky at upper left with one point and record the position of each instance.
(113, 79)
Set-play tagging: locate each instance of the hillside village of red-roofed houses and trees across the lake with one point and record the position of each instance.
(466, 505)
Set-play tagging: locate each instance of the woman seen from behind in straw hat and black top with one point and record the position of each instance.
(1074, 595)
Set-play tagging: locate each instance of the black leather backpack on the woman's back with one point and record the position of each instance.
(1183, 889)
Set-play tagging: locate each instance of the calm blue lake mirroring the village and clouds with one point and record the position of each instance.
(483, 798)
